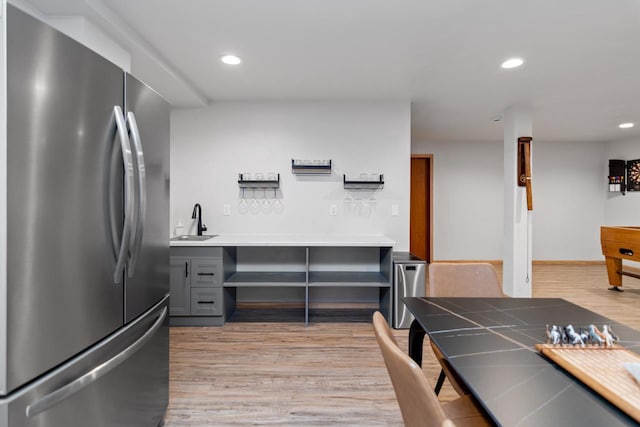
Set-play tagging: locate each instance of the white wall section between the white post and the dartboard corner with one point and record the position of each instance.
(569, 188)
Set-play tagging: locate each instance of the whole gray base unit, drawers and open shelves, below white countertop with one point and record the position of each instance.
(207, 281)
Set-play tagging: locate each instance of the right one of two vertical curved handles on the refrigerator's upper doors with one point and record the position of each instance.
(136, 237)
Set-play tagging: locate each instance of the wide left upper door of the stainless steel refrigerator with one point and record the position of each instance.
(61, 297)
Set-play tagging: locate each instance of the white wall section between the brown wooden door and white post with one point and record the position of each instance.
(467, 199)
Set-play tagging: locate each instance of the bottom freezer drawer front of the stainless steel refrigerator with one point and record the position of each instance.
(121, 381)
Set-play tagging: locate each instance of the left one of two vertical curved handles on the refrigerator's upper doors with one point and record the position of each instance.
(127, 159)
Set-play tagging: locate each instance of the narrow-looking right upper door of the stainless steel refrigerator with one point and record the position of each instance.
(148, 116)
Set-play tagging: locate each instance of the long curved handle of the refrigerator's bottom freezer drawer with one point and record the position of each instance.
(81, 382)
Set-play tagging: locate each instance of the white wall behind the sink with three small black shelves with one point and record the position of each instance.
(210, 146)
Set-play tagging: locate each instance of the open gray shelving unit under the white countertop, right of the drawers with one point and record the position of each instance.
(309, 275)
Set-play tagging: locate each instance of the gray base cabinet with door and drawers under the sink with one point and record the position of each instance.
(196, 293)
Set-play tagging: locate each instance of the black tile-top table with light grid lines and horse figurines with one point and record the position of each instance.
(490, 343)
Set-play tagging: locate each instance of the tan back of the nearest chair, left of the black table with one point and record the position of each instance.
(418, 403)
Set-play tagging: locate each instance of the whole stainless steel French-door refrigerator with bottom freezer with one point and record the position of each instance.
(84, 232)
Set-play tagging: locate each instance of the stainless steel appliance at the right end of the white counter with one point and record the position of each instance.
(408, 281)
